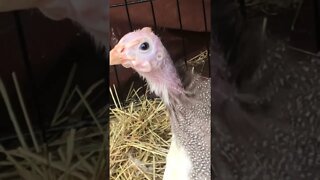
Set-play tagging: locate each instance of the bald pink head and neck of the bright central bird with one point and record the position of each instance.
(143, 51)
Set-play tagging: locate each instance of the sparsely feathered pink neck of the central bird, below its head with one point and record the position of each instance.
(164, 82)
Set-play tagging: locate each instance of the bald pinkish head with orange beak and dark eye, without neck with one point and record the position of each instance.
(141, 50)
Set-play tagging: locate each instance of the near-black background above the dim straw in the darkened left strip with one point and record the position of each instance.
(41, 52)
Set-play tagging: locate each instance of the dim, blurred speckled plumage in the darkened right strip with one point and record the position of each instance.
(289, 146)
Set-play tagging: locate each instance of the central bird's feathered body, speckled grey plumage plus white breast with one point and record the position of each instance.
(190, 124)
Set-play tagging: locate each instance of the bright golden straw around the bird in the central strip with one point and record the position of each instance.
(140, 133)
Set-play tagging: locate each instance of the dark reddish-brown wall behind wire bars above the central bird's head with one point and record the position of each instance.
(166, 14)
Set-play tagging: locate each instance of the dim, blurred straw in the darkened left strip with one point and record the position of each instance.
(75, 153)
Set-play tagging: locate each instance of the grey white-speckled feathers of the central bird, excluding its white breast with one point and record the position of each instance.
(190, 121)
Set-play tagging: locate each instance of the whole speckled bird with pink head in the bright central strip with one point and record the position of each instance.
(187, 98)
